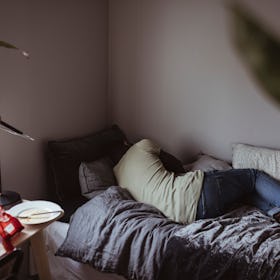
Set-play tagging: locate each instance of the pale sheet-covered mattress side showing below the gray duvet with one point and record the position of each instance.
(66, 268)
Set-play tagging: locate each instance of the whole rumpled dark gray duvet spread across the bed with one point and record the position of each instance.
(114, 233)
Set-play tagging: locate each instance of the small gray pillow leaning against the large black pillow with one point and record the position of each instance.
(96, 176)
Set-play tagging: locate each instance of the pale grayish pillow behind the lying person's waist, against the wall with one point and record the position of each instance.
(207, 163)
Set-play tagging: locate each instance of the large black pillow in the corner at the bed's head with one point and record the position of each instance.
(66, 156)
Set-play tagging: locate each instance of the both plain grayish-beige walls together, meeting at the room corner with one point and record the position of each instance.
(174, 76)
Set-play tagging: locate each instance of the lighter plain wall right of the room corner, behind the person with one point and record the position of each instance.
(175, 76)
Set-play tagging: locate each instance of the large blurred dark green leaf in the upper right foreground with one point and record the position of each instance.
(259, 49)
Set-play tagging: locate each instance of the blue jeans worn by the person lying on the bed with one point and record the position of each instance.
(225, 190)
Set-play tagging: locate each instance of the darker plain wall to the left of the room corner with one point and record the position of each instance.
(60, 92)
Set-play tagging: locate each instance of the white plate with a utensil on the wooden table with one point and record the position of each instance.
(36, 206)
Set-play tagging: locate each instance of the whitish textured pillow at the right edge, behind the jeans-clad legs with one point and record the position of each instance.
(264, 159)
